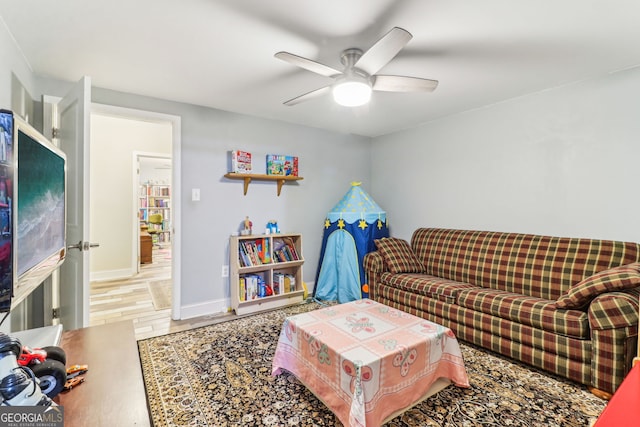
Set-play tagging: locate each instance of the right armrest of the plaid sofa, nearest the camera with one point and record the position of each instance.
(613, 319)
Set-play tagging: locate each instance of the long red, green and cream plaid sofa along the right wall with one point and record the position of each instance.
(566, 305)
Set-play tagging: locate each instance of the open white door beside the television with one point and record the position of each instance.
(73, 120)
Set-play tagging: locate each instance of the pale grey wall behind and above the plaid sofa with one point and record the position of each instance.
(561, 162)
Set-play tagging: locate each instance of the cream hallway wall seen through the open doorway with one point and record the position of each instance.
(112, 211)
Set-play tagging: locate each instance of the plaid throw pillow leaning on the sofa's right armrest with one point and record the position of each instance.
(613, 279)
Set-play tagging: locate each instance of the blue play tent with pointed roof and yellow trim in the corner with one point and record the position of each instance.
(349, 231)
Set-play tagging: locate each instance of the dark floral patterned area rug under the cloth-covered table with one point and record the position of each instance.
(220, 375)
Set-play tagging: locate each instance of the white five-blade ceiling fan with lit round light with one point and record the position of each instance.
(352, 86)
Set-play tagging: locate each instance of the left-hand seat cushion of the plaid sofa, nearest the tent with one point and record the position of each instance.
(429, 286)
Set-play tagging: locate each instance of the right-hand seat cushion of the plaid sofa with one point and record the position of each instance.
(535, 312)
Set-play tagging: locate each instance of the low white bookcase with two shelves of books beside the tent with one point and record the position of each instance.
(265, 271)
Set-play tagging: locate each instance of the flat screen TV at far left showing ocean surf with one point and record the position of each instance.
(33, 183)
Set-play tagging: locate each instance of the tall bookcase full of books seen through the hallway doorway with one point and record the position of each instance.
(154, 199)
